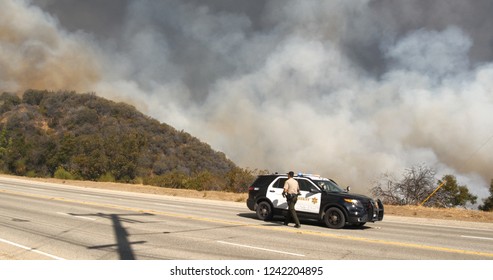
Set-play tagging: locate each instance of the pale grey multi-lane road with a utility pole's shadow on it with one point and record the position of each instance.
(50, 221)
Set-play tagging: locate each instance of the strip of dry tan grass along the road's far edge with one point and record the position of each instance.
(406, 211)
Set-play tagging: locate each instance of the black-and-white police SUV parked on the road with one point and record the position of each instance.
(319, 198)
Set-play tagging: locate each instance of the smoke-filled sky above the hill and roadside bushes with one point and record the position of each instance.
(349, 89)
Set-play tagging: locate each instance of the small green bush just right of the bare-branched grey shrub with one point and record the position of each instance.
(451, 194)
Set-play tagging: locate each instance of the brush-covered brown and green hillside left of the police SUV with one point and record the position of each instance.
(69, 135)
